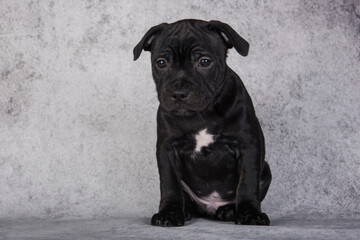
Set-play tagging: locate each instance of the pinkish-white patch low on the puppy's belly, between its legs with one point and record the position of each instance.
(209, 203)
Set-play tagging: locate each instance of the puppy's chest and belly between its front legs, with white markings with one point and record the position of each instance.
(208, 173)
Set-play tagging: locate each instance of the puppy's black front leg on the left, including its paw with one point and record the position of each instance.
(171, 210)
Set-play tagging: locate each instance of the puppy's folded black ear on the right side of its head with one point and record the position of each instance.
(231, 37)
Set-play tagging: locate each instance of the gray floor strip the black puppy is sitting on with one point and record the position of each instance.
(139, 228)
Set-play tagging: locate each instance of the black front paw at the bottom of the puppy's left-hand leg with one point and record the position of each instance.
(168, 219)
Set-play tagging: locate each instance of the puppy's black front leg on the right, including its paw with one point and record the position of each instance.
(248, 208)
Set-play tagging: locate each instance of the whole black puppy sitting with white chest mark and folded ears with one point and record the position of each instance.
(210, 146)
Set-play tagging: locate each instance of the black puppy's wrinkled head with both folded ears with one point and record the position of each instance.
(188, 62)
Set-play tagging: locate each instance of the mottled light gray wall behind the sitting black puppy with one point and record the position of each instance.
(77, 115)
